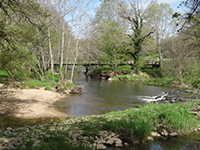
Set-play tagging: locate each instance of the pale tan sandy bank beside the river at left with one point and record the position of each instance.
(30, 103)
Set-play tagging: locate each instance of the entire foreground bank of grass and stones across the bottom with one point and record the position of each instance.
(96, 132)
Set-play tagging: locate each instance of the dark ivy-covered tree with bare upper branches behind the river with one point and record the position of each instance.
(136, 18)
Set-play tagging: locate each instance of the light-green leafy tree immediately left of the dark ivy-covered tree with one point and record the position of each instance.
(111, 29)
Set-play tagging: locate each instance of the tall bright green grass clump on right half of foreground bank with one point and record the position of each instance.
(139, 123)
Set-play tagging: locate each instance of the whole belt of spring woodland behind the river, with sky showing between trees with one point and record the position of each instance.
(37, 34)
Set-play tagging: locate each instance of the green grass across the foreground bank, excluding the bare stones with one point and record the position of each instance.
(131, 125)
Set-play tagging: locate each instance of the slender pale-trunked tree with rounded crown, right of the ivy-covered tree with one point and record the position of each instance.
(160, 19)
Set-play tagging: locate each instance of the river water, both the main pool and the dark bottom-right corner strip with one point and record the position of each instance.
(103, 96)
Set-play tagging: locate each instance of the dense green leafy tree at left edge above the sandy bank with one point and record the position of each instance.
(16, 15)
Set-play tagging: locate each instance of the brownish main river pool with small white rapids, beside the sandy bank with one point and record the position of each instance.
(103, 96)
